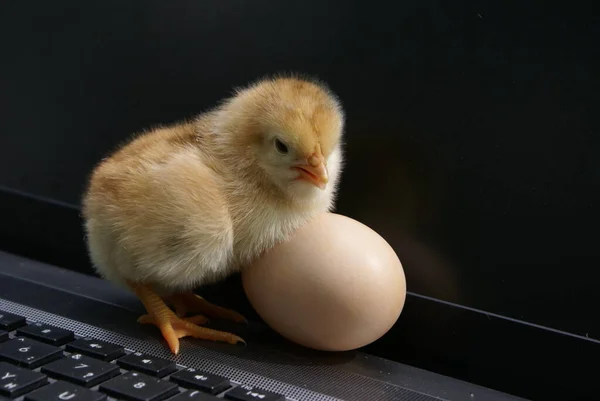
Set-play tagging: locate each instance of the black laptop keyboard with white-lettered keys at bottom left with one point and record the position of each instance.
(39, 362)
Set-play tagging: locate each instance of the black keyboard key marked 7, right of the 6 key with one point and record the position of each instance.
(82, 370)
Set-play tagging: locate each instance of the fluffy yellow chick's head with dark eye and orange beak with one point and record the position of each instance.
(292, 131)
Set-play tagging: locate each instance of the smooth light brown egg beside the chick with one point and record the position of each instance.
(334, 285)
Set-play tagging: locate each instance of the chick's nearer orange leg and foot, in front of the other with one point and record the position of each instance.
(173, 327)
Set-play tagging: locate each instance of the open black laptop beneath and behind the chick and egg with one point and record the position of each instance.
(471, 148)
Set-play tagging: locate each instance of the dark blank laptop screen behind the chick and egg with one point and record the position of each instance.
(472, 136)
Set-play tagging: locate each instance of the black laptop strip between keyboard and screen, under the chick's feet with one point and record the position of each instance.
(267, 361)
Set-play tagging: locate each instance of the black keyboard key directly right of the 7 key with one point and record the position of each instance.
(135, 386)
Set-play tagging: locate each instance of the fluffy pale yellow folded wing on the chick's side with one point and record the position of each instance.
(159, 217)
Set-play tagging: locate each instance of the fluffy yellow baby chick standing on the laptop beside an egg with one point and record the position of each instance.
(186, 205)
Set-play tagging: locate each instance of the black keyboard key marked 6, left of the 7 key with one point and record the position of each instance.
(28, 353)
